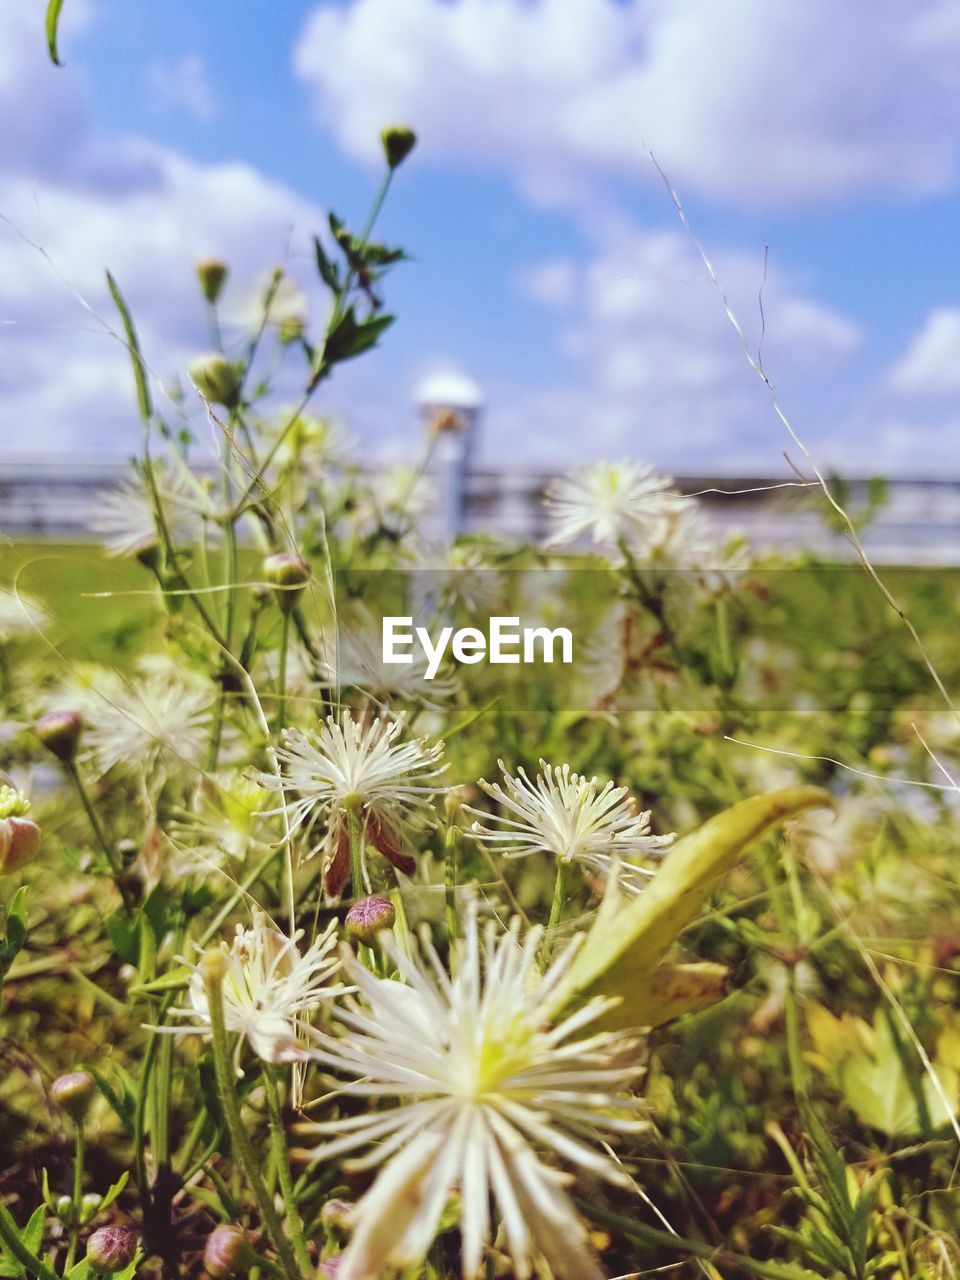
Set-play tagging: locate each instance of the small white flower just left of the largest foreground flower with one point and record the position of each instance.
(271, 990)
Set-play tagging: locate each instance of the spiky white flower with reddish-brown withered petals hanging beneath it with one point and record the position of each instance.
(358, 766)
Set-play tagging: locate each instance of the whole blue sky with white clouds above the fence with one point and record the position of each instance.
(548, 263)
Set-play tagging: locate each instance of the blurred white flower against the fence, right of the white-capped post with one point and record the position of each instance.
(614, 502)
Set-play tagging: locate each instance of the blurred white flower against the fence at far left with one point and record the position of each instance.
(125, 518)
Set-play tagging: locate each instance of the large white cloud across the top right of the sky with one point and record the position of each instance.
(747, 103)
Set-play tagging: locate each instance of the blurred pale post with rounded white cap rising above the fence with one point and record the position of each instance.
(450, 405)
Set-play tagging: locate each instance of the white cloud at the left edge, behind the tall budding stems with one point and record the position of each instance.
(76, 203)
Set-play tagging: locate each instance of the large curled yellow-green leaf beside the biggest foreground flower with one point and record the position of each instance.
(629, 940)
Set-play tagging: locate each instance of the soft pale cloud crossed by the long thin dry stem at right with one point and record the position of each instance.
(661, 369)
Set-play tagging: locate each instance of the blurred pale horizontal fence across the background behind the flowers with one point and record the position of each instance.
(920, 524)
